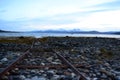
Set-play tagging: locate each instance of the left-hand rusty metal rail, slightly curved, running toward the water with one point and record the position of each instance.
(12, 65)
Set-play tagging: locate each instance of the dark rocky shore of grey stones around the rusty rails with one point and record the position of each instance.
(100, 58)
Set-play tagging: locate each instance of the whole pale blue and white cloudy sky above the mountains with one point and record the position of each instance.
(87, 15)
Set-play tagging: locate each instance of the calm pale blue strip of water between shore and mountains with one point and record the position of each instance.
(38, 35)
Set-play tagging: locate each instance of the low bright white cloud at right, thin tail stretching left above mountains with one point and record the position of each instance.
(101, 21)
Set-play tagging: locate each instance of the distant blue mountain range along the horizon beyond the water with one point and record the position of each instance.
(78, 31)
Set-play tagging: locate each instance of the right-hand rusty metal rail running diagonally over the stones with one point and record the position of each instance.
(75, 70)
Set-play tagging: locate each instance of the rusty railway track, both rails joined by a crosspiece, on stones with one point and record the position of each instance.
(66, 65)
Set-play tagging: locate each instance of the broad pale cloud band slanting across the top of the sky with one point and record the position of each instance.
(37, 8)
